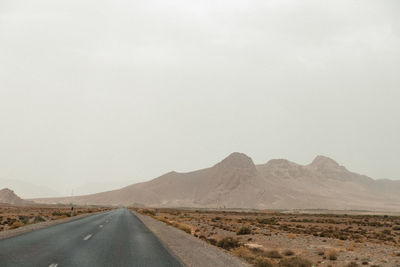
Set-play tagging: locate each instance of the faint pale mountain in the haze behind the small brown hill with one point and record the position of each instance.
(28, 190)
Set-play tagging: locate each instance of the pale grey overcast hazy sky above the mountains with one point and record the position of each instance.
(96, 91)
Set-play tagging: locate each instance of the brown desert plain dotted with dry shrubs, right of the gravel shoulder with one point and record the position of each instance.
(343, 233)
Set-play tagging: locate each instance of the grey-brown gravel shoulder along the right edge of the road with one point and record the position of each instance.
(190, 250)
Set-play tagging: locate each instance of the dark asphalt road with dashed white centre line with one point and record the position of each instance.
(114, 238)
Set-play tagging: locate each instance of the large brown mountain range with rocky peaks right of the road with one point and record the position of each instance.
(236, 182)
